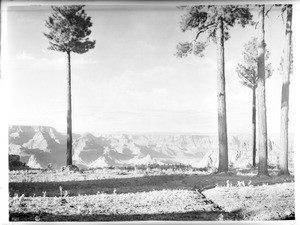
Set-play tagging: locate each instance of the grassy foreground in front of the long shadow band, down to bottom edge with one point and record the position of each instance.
(240, 202)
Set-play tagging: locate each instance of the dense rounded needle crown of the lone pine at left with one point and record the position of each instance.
(69, 29)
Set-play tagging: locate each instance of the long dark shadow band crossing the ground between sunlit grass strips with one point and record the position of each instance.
(138, 184)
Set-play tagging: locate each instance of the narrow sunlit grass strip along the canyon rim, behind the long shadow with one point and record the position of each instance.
(101, 173)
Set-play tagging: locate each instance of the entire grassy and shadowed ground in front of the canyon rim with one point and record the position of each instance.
(101, 195)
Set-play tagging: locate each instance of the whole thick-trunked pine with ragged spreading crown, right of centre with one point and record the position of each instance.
(215, 21)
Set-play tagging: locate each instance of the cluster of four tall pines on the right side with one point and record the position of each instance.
(215, 21)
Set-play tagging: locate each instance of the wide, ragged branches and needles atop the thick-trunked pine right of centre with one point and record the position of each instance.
(205, 19)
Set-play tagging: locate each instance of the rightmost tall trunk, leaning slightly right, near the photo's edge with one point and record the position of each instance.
(284, 145)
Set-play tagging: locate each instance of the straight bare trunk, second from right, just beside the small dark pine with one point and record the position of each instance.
(261, 97)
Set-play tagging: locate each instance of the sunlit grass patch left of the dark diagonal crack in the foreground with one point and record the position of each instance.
(153, 202)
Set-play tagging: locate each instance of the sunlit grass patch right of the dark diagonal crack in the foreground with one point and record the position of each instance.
(264, 202)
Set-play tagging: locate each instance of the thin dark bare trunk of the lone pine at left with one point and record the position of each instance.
(69, 114)
